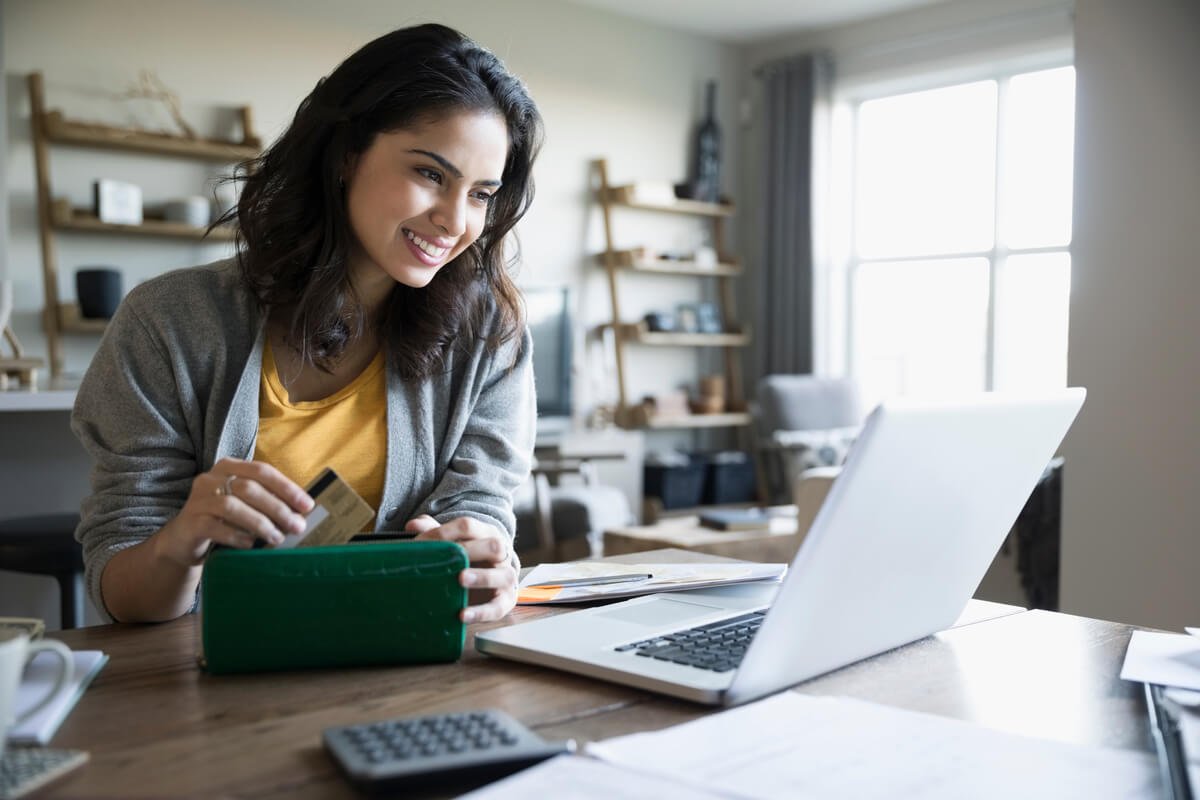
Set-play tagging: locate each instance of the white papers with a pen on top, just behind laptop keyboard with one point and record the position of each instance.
(668, 578)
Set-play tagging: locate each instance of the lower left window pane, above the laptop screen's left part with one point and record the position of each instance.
(921, 327)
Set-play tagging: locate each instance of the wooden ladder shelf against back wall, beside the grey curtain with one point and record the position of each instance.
(627, 334)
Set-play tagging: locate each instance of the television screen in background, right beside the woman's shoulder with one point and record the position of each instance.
(549, 312)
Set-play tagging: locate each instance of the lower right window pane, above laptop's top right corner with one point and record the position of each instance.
(1031, 322)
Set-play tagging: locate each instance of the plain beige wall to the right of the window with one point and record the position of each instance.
(1132, 492)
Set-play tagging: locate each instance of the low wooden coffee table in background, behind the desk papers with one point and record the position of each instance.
(775, 545)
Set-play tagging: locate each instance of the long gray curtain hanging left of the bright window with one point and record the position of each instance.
(794, 89)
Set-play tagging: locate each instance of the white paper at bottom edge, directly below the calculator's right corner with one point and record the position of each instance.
(572, 778)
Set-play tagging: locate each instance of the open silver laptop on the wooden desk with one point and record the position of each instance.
(905, 536)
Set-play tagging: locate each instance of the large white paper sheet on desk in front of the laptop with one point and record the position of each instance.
(838, 749)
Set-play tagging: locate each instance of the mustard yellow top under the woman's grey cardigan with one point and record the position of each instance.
(346, 431)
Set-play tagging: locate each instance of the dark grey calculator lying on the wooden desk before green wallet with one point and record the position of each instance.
(448, 749)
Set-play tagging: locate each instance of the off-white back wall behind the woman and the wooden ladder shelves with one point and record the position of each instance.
(608, 87)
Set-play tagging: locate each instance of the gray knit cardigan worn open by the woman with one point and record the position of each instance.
(175, 388)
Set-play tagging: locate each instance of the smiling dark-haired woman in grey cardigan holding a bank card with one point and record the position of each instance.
(368, 323)
